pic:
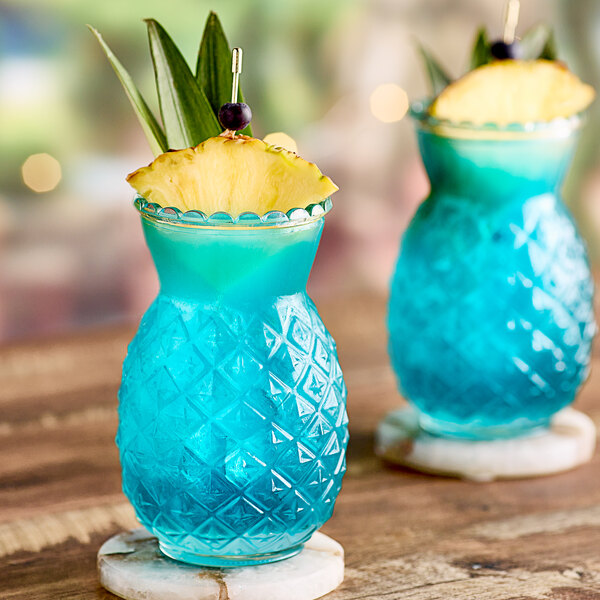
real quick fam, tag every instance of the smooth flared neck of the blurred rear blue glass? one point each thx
(507, 168)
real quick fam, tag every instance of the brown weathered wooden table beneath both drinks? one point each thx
(406, 535)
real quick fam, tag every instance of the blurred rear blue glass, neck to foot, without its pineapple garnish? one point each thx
(490, 315)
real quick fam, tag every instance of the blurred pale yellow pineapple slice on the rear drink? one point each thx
(513, 91)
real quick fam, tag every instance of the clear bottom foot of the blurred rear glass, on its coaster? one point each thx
(518, 428)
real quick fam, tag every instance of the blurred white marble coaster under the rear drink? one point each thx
(568, 443)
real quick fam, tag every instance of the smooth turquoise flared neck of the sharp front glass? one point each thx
(231, 264)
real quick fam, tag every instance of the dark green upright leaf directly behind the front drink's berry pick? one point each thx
(213, 69)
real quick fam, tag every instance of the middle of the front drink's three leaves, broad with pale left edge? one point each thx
(186, 112)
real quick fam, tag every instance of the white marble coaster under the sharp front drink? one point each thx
(132, 567)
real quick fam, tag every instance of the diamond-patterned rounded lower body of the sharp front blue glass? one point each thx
(233, 425)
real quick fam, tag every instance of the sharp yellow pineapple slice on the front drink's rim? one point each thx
(234, 175)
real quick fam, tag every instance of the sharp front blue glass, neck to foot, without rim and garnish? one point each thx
(233, 425)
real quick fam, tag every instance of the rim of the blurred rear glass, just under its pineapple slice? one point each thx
(419, 111)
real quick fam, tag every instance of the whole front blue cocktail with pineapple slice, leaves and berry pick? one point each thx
(232, 406)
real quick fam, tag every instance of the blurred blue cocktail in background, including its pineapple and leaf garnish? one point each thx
(491, 316)
